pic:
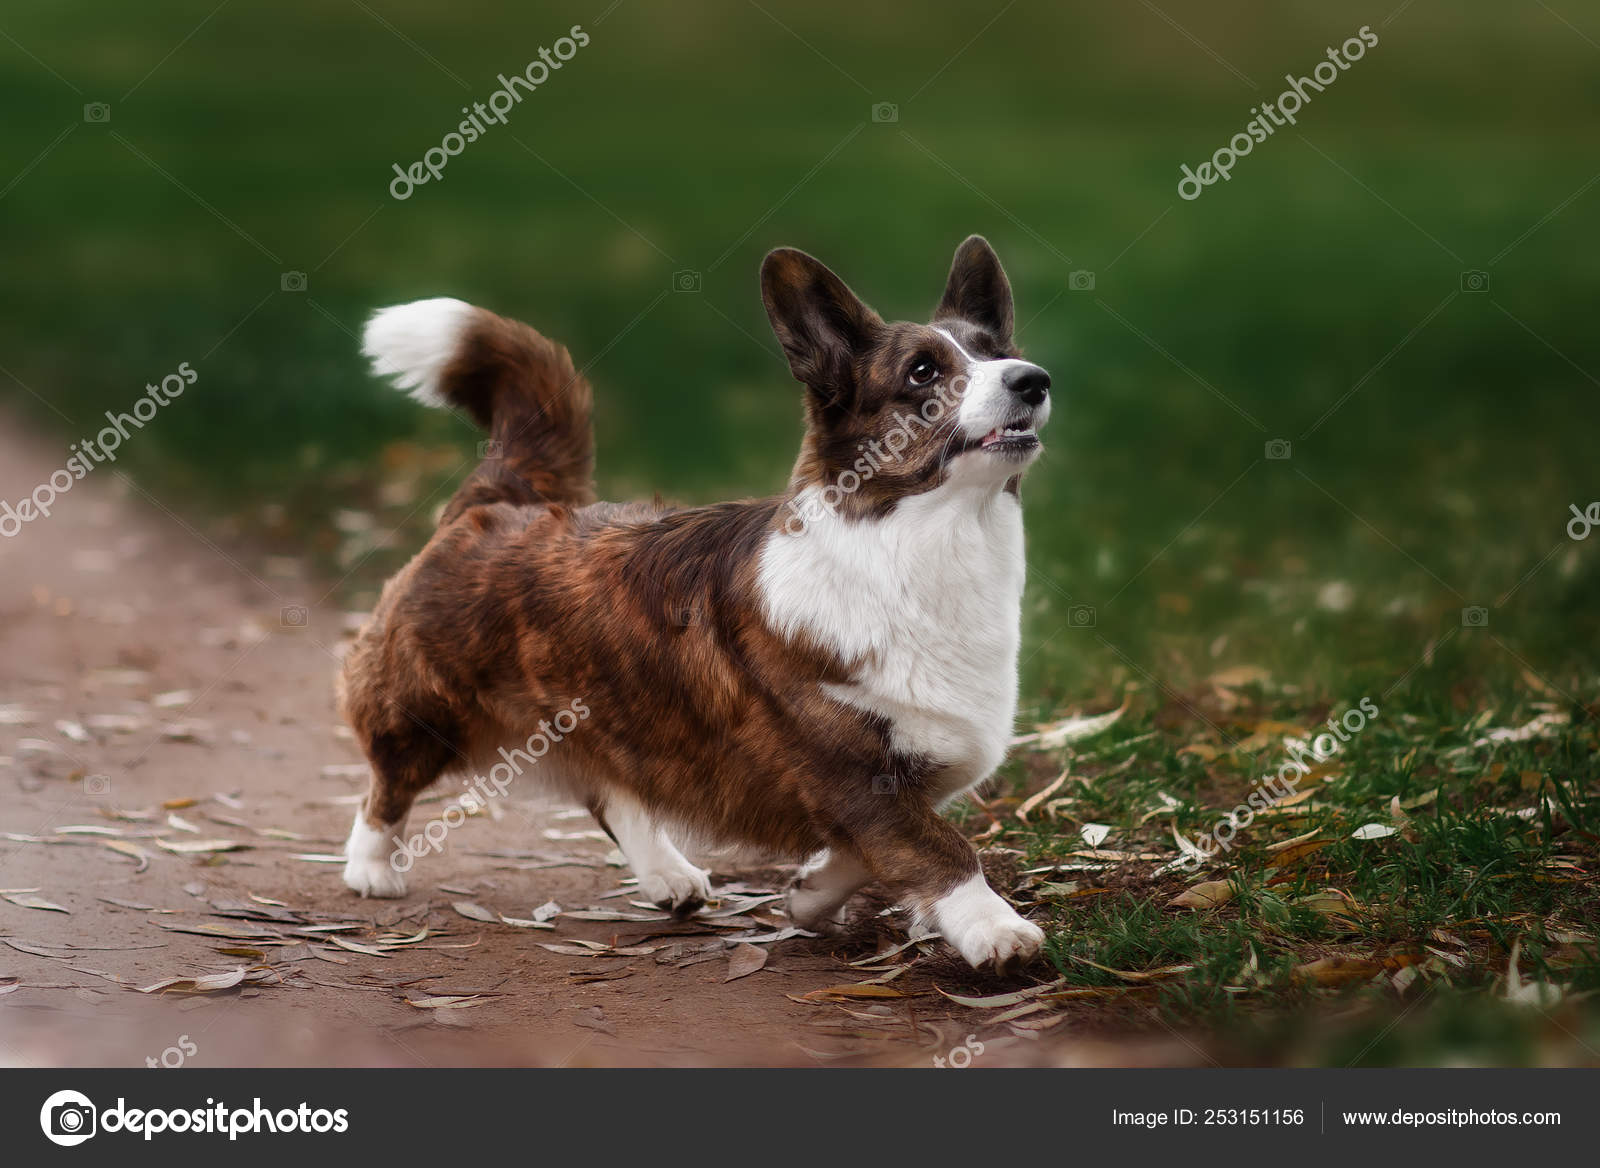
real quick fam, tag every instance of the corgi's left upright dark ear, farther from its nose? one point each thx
(818, 321)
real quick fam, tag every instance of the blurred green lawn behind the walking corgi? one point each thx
(252, 140)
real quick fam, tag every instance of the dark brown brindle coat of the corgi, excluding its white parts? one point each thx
(532, 596)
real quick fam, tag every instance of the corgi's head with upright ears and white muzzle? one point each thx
(900, 409)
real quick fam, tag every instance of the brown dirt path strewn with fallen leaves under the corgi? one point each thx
(143, 666)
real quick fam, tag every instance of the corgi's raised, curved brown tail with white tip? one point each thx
(513, 382)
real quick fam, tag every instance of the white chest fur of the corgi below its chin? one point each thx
(926, 606)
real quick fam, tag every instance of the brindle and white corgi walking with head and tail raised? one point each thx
(812, 676)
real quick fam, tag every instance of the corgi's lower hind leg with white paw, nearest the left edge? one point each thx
(404, 766)
